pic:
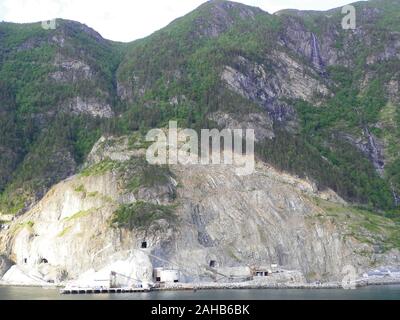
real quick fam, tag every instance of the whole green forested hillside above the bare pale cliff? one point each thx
(345, 137)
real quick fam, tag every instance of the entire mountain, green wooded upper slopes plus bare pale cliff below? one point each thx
(324, 103)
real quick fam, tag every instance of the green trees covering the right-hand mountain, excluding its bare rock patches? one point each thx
(319, 150)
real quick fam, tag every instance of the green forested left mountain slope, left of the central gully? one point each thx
(41, 141)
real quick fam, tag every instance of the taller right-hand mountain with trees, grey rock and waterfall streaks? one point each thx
(324, 90)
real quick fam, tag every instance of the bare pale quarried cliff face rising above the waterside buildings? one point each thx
(265, 218)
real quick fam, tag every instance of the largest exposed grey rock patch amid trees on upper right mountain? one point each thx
(287, 79)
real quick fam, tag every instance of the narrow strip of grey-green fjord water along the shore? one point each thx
(387, 292)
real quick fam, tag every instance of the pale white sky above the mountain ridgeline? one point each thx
(127, 20)
